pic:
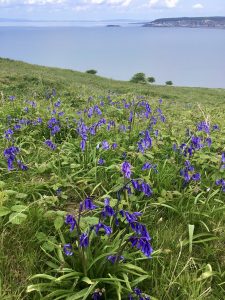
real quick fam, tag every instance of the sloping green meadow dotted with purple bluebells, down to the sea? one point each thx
(109, 189)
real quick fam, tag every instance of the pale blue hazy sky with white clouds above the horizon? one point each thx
(109, 9)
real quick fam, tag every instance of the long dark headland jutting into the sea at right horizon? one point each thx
(195, 22)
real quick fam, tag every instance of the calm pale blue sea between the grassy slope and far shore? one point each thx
(188, 57)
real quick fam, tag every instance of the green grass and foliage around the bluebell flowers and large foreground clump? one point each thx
(186, 224)
